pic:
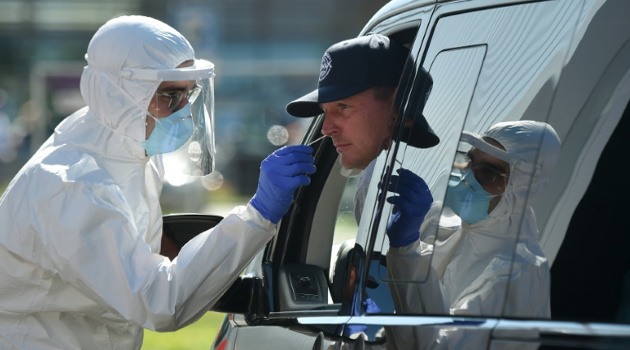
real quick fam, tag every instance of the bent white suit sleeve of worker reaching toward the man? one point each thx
(119, 271)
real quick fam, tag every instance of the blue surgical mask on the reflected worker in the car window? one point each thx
(466, 197)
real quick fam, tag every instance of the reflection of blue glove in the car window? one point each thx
(410, 207)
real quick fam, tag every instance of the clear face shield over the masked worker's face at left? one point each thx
(182, 112)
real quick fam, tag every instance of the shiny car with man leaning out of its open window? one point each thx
(564, 62)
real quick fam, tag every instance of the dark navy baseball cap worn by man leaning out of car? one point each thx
(355, 65)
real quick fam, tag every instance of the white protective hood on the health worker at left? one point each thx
(120, 100)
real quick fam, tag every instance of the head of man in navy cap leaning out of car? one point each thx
(356, 90)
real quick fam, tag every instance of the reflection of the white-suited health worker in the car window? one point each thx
(480, 255)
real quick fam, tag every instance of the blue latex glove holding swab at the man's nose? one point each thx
(281, 173)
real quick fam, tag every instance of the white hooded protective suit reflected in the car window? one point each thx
(492, 268)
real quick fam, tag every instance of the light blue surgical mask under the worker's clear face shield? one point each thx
(171, 132)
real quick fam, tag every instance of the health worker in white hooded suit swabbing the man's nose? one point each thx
(82, 223)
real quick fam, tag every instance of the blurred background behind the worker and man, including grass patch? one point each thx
(266, 53)
